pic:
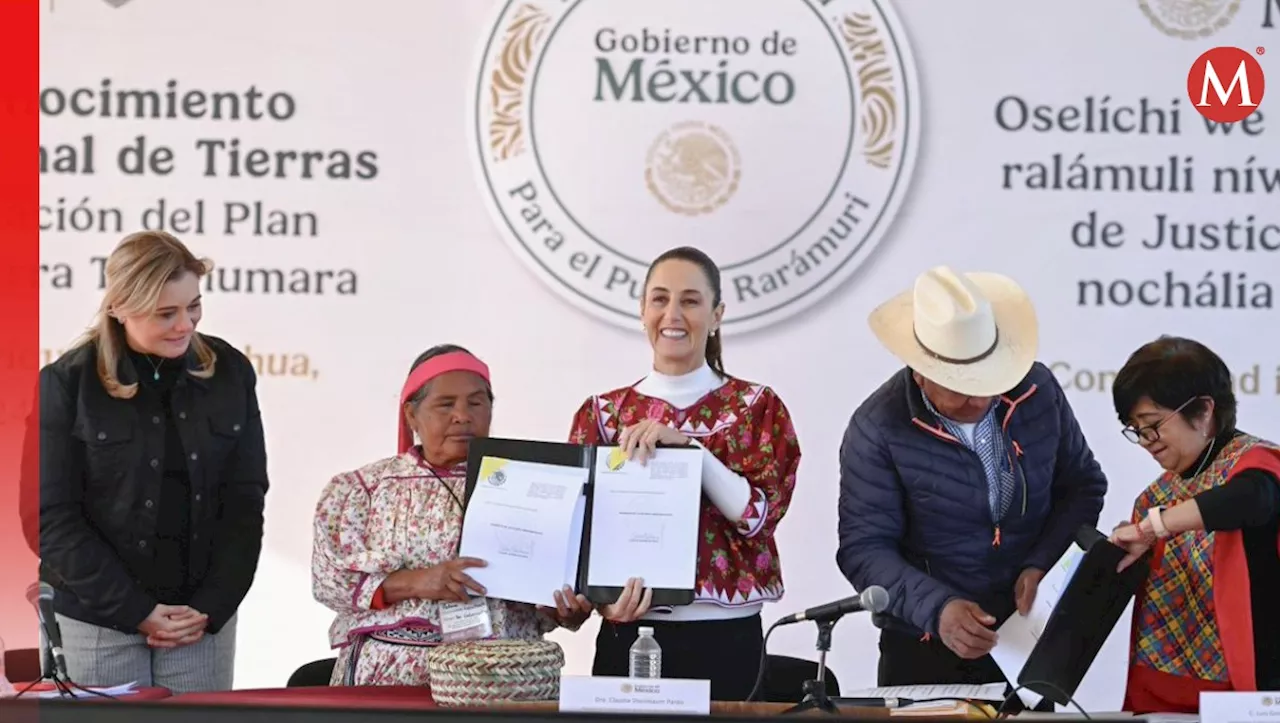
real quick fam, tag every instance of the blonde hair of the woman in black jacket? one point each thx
(136, 273)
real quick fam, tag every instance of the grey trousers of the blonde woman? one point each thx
(104, 657)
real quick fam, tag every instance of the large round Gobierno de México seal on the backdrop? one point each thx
(779, 136)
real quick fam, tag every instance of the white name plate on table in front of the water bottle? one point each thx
(586, 694)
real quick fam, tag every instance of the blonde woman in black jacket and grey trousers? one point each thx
(153, 478)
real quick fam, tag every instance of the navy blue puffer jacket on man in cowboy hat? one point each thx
(915, 516)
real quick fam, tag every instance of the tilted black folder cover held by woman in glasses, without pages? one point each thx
(1085, 616)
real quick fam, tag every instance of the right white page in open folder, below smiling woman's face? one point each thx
(644, 519)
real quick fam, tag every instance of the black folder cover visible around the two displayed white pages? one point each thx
(565, 456)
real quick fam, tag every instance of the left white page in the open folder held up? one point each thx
(519, 520)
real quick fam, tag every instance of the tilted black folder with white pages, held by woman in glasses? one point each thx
(1078, 605)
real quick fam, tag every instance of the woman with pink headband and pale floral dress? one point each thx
(387, 538)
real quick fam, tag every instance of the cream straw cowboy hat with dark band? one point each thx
(975, 333)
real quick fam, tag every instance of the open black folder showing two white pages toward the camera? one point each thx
(548, 515)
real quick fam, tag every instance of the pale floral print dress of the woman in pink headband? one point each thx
(396, 514)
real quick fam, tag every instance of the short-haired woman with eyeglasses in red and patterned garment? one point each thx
(1206, 619)
